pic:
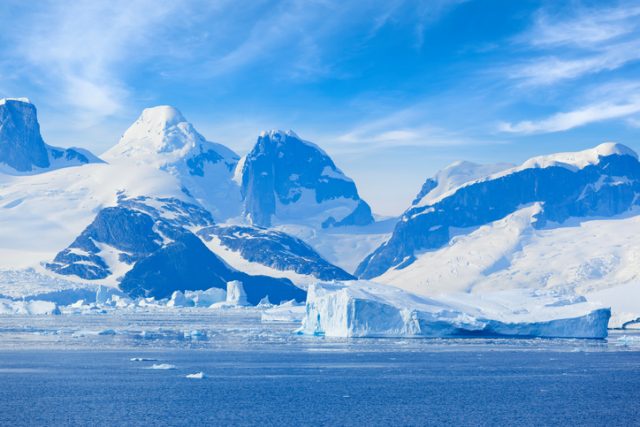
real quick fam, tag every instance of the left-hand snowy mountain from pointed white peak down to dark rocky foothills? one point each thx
(132, 222)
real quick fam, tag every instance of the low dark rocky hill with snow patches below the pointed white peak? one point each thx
(145, 246)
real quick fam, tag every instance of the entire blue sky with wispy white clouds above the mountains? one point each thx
(393, 90)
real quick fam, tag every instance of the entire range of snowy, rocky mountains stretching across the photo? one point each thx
(165, 210)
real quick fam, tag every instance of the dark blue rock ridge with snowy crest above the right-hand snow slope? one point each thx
(604, 181)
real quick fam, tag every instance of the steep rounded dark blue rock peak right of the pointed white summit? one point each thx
(288, 180)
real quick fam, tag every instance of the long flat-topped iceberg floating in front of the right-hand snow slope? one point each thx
(367, 309)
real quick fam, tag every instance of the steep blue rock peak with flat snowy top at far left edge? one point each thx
(22, 149)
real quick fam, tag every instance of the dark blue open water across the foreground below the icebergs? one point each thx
(295, 386)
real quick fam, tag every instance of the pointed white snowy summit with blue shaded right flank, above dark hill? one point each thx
(161, 138)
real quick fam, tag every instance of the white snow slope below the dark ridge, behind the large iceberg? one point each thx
(596, 258)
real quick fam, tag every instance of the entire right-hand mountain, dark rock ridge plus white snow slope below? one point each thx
(565, 222)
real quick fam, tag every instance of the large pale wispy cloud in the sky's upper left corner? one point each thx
(76, 52)
